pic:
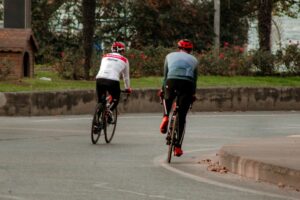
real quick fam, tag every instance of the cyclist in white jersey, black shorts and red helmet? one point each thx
(113, 65)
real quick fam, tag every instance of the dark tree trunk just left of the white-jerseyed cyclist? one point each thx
(88, 13)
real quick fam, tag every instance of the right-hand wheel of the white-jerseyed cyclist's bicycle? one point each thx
(110, 126)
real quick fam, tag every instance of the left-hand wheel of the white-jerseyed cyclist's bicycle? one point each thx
(97, 123)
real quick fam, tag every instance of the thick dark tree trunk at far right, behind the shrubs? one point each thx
(264, 24)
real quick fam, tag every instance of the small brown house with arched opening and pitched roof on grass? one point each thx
(17, 48)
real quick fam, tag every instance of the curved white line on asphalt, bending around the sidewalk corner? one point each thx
(161, 160)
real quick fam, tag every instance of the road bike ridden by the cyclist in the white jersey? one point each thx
(104, 119)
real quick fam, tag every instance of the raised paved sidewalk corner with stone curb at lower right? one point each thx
(275, 160)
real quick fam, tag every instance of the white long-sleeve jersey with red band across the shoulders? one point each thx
(112, 66)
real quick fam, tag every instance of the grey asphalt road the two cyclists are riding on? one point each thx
(52, 158)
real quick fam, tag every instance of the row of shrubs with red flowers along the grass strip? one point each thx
(231, 61)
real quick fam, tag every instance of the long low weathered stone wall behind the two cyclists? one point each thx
(73, 102)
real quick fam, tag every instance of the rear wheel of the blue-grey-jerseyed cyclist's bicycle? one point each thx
(174, 128)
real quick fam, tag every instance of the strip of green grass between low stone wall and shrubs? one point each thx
(57, 83)
